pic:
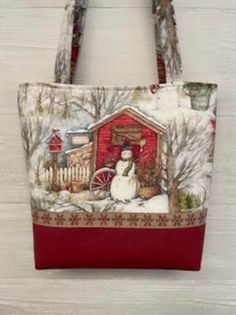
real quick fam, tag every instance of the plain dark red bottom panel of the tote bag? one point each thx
(118, 248)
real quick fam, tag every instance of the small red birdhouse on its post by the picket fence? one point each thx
(55, 146)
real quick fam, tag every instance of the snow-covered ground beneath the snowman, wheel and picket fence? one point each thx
(84, 201)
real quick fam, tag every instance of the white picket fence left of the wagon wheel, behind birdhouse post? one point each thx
(68, 175)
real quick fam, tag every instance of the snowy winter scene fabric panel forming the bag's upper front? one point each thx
(60, 126)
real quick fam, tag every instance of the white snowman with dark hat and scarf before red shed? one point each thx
(124, 185)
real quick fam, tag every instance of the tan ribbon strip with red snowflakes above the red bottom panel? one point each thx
(119, 220)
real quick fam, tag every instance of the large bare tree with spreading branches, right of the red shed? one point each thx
(185, 152)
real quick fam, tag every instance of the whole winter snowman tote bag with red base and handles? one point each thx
(119, 176)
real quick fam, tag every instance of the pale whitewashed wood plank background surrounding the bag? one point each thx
(118, 49)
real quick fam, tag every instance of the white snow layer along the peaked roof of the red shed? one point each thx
(131, 109)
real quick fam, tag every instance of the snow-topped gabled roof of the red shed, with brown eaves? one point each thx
(135, 114)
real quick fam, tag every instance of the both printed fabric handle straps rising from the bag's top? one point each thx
(169, 63)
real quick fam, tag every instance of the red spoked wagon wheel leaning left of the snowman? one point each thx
(101, 182)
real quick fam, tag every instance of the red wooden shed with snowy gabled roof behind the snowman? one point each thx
(126, 126)
